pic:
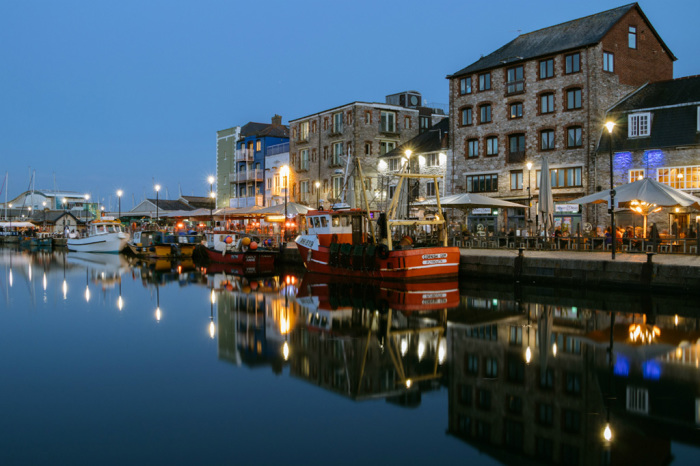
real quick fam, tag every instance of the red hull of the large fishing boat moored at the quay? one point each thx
(404, 264)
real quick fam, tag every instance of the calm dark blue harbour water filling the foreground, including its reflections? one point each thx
(109, 361)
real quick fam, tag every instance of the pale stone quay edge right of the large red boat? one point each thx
(623, 257)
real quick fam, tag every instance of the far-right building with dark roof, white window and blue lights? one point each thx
(655, 136)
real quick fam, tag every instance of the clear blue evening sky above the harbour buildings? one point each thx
(102, 95)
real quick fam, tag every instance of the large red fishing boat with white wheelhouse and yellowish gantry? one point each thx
(361, 243)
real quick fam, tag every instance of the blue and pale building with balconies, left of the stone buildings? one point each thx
(240, 161)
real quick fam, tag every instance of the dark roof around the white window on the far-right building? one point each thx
(674, 106)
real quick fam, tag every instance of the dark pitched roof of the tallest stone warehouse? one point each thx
(571, 35)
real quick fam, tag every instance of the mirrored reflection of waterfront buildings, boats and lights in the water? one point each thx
(527, 373)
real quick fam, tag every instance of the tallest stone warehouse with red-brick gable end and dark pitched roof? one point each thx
(545, 94)
